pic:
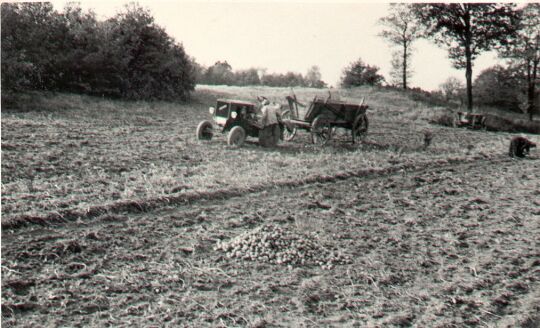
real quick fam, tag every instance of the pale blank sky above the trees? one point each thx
(290, 36)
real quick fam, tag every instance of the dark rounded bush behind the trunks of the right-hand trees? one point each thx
(500, 87)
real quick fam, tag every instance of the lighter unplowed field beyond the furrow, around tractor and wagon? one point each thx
(78, 157)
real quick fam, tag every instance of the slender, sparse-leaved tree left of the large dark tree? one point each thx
(402, 30)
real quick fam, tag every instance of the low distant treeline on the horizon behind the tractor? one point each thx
(221, 73)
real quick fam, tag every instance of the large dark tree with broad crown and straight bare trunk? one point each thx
(467, 29)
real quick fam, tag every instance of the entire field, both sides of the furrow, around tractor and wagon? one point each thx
(112, 211)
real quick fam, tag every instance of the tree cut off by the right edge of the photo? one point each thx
(523, 50)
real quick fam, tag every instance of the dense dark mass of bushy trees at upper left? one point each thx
(127, 56)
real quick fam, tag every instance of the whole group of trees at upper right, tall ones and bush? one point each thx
(467, 30)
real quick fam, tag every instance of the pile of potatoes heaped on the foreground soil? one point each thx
(271, 244)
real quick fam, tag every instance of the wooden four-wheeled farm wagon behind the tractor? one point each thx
(322, 117)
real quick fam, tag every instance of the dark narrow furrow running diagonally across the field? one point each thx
(145, 205)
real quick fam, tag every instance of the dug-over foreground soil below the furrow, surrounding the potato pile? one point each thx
(440, 246)
